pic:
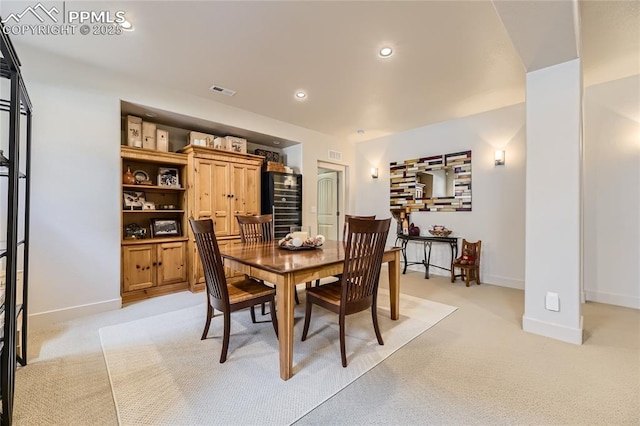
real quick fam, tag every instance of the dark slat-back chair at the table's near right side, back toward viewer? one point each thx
(357, 289)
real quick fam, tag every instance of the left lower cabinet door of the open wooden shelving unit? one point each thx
(138, 270)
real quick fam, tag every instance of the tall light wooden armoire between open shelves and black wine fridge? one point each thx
(220, 185)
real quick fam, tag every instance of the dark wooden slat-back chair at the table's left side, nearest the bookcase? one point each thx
(223, 296)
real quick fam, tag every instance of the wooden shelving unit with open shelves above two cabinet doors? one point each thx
(154, 264)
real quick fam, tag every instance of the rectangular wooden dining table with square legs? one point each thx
(286, 268)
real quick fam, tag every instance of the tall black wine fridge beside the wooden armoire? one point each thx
(282, 197)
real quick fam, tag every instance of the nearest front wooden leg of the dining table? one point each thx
(285, 303)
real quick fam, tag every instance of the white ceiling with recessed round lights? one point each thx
(451, 59)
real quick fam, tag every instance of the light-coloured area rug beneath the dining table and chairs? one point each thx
(161, 373)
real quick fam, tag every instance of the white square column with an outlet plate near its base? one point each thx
(553, 201)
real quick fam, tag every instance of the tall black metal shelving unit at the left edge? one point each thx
(16, 213)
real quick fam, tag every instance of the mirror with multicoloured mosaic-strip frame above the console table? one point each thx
(437, 183)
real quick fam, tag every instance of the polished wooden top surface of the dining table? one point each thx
(268, 256)
